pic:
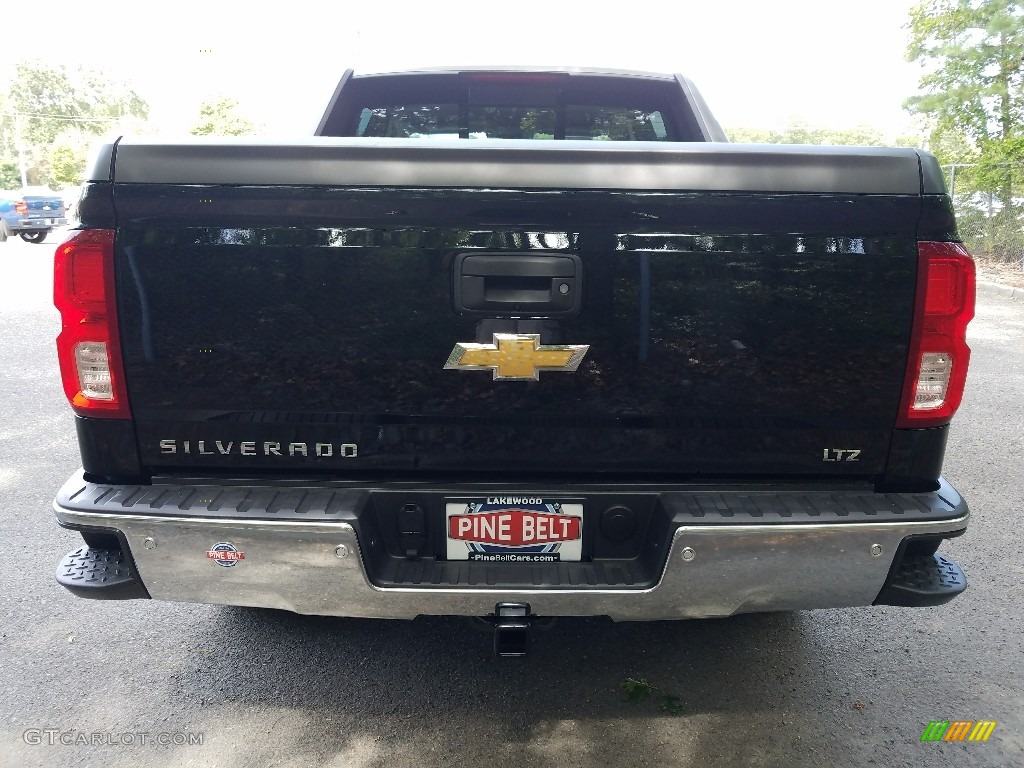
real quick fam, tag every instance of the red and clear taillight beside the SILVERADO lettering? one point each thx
(88, 348)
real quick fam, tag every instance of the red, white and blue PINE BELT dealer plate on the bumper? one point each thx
(515, 529)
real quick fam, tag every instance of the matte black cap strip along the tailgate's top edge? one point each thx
(524, 164)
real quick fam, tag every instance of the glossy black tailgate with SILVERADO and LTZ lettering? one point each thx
(735, 325)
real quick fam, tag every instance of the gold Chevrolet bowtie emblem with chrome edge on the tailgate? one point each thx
(517, 357)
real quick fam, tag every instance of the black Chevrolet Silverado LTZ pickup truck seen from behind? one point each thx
(511, 345)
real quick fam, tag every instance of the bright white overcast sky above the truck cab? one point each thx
(758, 64)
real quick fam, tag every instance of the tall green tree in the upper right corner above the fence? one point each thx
(973, 89)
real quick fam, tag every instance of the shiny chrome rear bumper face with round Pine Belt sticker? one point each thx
(319, 569)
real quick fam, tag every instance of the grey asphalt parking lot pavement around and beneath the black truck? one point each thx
(95, 684)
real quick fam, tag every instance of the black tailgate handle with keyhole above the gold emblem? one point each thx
(504, 284)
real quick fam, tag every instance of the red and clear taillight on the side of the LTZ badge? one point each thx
(940, 355)
